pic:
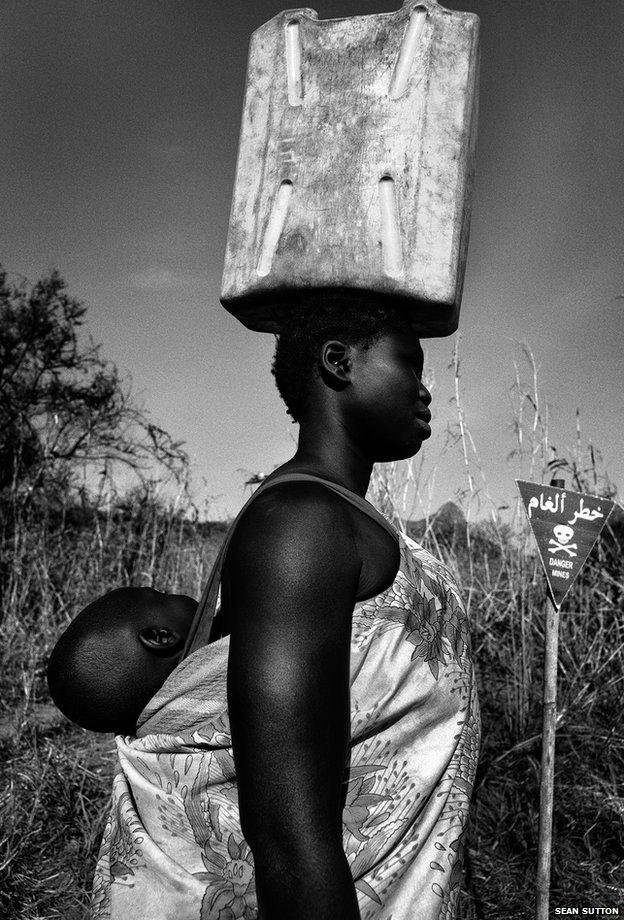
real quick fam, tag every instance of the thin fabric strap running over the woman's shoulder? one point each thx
(202, 622)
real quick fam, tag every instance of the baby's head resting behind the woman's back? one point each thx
(116, 654)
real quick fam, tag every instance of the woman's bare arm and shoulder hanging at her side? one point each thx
(292, 573)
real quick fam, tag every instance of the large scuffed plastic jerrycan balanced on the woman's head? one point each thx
(355, 164)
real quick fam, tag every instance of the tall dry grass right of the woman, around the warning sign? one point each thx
(504, 589)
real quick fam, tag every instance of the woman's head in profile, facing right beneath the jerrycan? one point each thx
(361, 361)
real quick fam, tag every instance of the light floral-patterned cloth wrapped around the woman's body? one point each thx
(173, 847)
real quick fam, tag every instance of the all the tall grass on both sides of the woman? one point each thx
(56, 778)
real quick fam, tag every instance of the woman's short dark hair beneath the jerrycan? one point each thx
(355, 319)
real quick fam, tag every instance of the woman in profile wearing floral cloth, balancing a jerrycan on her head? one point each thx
(315, 758)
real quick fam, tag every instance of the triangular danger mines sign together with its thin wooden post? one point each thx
(565, 526)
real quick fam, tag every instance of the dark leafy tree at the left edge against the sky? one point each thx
(63, 407)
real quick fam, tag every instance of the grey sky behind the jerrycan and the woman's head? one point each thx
(120, 126)
